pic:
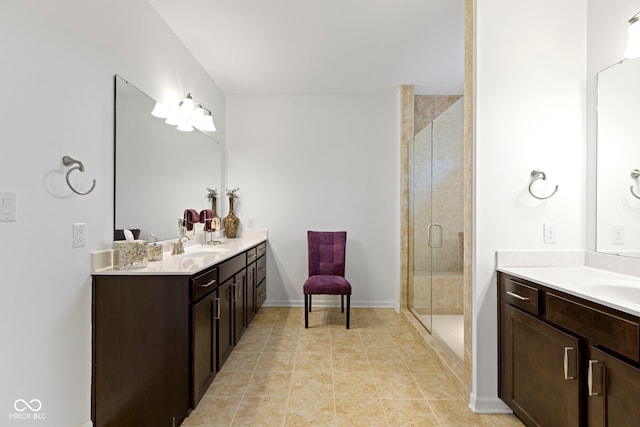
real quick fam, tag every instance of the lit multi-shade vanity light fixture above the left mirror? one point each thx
(186, 116)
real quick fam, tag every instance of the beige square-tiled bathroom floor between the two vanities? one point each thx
(375, 374)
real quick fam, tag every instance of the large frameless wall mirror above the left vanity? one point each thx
(159, 171)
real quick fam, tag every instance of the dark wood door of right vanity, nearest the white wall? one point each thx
(543, 371)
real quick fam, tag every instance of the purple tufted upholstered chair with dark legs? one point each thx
(326, 269)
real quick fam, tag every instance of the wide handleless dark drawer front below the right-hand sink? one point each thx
(606, 329)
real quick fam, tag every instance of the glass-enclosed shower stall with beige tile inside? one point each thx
(436, 220)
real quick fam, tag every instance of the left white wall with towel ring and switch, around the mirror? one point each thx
(58, 63)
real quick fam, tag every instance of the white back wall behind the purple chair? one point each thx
(320, 163)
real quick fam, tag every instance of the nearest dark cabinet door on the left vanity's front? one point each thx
(204, 346)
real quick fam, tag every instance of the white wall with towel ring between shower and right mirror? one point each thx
(530, 112)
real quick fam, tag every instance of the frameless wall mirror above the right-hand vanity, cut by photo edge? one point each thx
(618, 186)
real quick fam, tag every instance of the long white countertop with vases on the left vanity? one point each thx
(197, 257)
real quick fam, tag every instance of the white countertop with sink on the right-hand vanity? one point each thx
(606, 287)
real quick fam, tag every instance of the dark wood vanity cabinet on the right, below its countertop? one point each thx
(565, 361)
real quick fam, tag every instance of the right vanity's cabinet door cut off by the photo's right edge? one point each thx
(613, 391)
